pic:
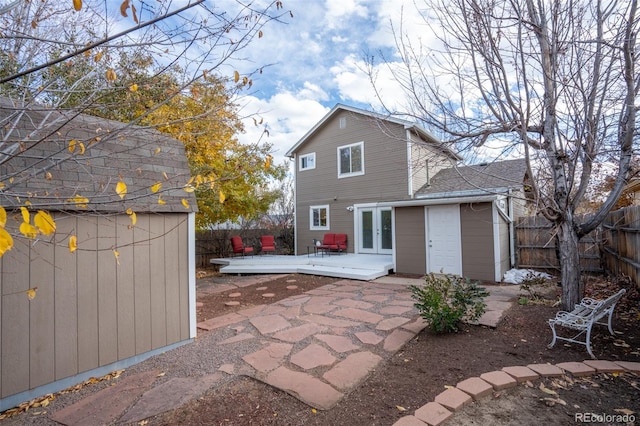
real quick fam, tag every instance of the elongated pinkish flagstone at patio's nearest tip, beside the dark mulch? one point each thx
(305, 387)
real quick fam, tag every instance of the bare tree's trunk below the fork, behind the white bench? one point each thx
(569, 264)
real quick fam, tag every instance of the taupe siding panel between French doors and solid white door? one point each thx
(410, 240)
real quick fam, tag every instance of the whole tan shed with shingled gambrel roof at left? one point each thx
(128, 291)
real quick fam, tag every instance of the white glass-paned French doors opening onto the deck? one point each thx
(376, 230)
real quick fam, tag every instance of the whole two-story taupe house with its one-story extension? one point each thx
(394, 189)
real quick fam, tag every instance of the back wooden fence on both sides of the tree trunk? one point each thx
(536, 246)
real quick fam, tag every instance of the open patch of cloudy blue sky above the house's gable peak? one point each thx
(316, 59)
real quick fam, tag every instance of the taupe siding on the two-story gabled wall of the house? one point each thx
(385, 178)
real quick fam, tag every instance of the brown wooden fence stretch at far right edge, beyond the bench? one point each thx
(621, 242)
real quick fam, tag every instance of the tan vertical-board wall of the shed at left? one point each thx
(89, 310)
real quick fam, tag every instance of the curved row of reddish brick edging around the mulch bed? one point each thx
(454, 398)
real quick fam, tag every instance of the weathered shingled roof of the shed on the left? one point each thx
(36, 163)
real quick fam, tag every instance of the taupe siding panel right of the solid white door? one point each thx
(476, 226)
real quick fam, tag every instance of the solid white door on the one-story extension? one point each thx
(444, 247)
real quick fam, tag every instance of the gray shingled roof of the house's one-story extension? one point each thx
(480, 177)
